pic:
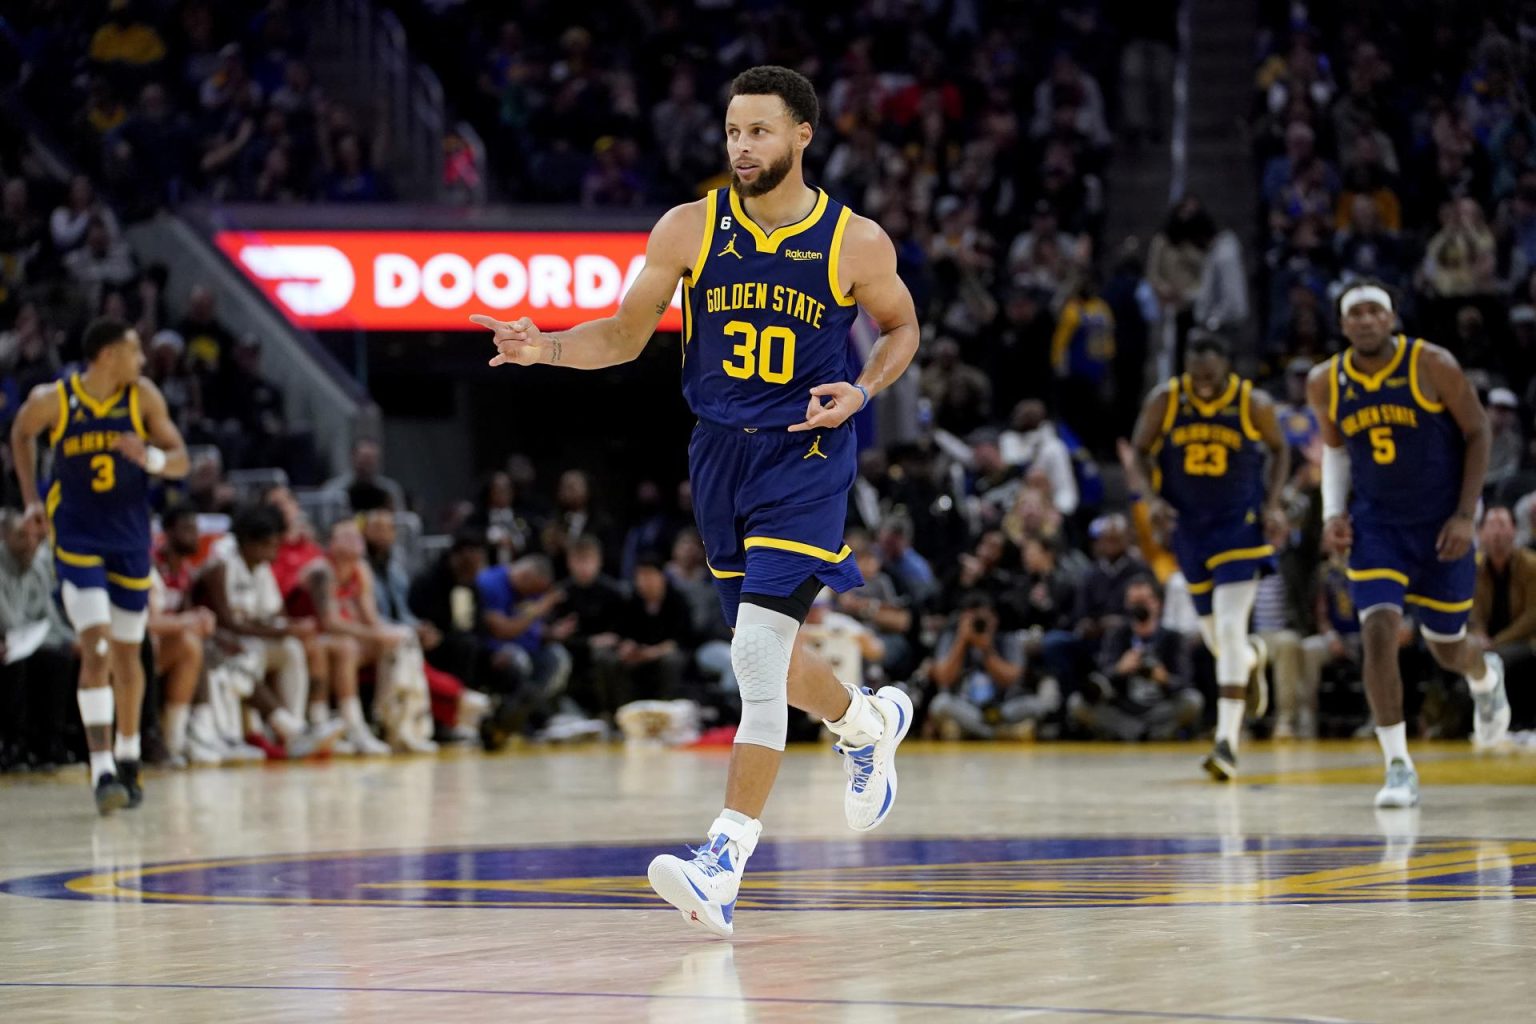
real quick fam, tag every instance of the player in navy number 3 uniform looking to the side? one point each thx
(110, 432)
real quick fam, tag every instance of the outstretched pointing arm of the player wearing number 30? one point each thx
(620, 339)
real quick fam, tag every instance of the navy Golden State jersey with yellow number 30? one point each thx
(764, 320)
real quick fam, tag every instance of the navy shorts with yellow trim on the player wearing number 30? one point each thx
(770, 507)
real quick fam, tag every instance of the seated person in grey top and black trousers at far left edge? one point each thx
(36, 692)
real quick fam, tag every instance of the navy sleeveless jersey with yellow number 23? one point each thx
(1211, 457)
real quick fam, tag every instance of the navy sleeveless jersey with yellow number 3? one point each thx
(99, 501)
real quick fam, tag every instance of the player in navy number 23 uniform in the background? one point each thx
(1211, 449)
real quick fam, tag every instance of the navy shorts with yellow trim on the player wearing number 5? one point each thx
(1397, 566)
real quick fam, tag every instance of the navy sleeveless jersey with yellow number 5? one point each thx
(1406, 452)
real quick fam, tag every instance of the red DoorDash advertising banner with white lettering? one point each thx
(435, 280)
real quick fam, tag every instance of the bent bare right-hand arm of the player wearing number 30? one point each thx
(870, 262)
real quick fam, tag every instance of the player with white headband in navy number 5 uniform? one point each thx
(1403, 467)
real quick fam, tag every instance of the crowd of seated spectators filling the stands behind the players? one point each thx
(1010, 583)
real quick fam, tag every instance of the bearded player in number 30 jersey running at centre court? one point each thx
(773, 274)
